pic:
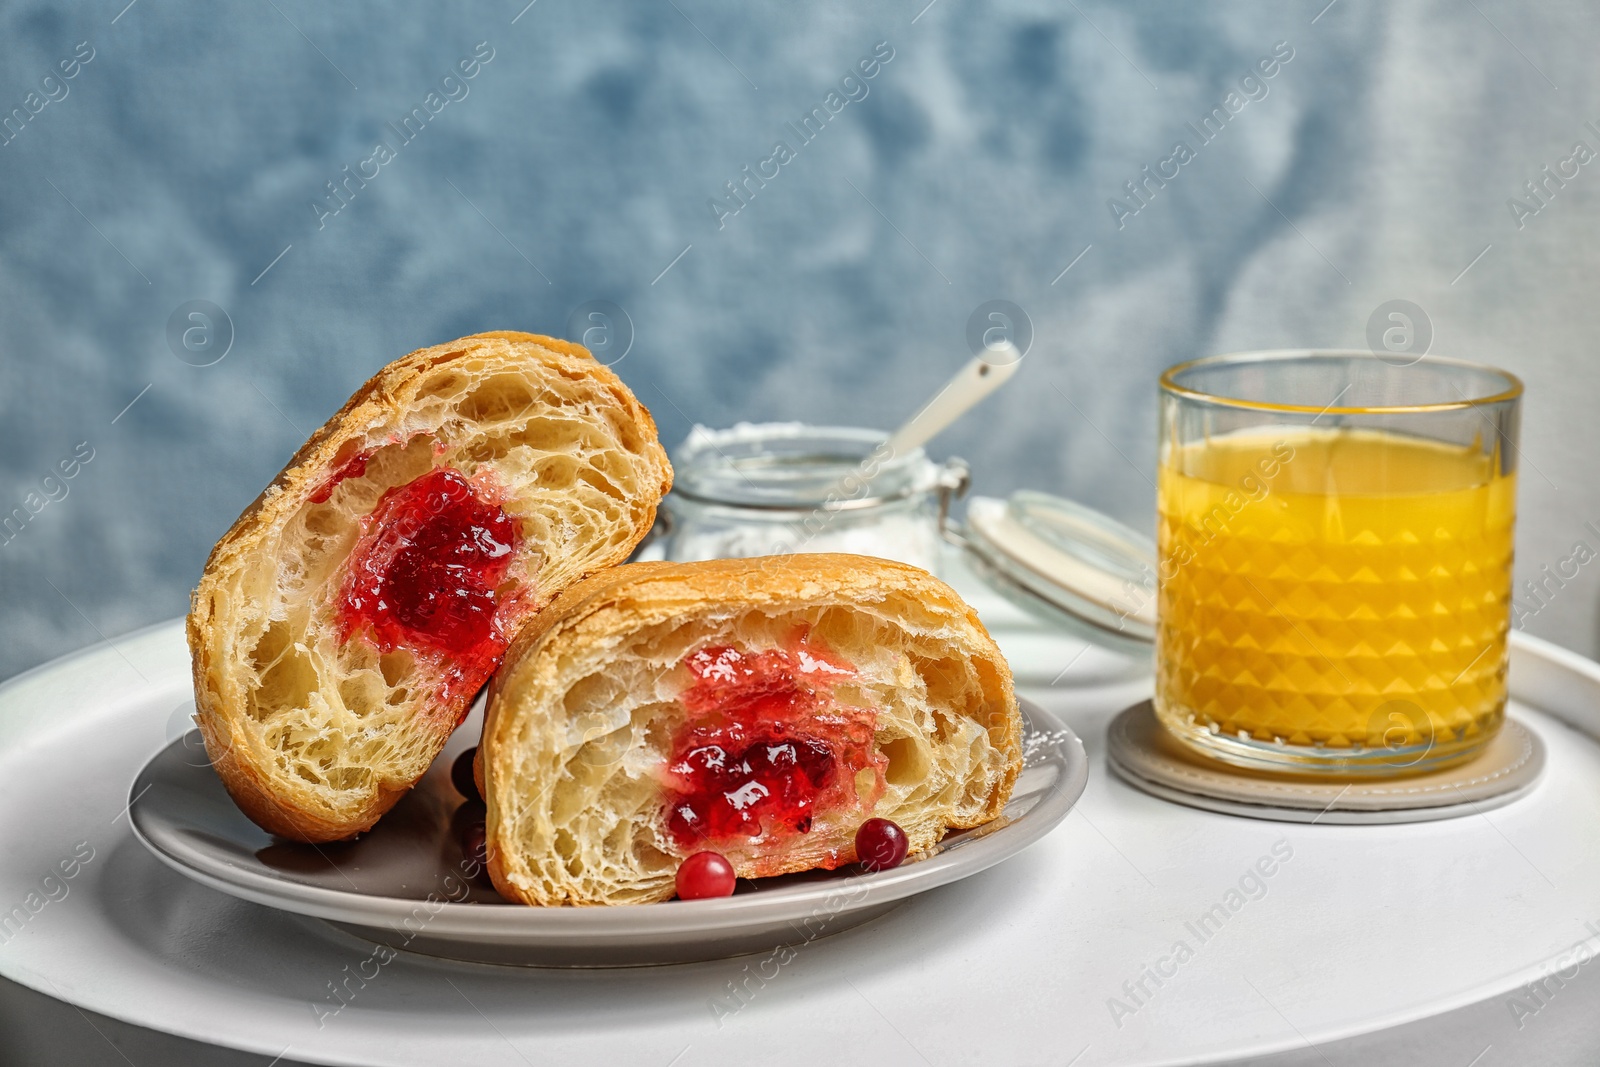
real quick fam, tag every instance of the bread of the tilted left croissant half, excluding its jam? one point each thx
(316, 738)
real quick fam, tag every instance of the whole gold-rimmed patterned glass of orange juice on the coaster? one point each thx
(1335, 538)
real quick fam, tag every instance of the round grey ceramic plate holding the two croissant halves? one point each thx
(401, 882)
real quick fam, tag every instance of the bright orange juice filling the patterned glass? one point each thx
(1334, 588)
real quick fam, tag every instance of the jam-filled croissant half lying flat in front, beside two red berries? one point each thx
(761, 709)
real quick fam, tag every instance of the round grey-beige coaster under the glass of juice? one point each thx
(1143, 754)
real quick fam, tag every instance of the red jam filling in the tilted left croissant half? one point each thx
(426, 577)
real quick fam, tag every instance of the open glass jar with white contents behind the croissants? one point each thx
(788, 487)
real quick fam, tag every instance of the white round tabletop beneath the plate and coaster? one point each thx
(1362, 929)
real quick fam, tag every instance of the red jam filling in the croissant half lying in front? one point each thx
(767, 749)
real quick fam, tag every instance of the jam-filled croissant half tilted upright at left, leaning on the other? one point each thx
(346, 621)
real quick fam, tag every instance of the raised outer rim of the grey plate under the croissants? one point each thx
(588, 924)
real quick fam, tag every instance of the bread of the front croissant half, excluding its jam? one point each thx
(585, 706)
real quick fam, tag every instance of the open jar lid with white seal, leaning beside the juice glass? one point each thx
(1065, 562)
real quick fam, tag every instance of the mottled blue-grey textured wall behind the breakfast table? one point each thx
(585, 158)
